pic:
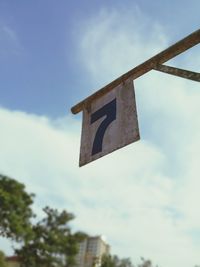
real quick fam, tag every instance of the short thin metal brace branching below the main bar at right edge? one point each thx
(194, 76)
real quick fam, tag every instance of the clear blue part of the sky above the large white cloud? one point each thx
(40, 70)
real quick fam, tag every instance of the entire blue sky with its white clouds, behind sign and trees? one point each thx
(145, 197)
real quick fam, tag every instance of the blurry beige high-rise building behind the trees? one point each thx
(91, 251)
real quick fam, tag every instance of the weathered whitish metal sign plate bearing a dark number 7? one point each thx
(109, 123)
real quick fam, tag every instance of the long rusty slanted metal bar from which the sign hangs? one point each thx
(167, 54)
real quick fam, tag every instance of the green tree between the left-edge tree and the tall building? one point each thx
(52, 244)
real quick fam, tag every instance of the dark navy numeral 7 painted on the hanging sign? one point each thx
(109, 110)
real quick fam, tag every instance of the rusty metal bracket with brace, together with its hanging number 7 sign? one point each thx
(105, 111)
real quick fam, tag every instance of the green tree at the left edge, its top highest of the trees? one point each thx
(15, 211)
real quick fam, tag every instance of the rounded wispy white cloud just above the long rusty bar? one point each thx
(115, 41)
